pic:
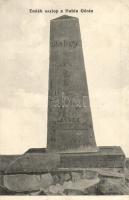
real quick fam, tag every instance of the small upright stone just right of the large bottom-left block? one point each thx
(45, 181)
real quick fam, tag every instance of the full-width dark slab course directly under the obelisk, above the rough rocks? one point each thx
(37, 162)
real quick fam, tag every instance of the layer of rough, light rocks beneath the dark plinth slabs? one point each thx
(83, 182)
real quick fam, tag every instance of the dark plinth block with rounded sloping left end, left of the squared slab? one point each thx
(34, 163)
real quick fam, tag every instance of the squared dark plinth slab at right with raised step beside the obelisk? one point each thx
(107, 157)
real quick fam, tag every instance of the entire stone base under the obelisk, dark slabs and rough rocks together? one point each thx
(102, 172)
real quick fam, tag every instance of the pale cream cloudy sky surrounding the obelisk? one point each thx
(24, 65)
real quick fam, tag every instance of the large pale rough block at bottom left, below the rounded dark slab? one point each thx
(22, 182)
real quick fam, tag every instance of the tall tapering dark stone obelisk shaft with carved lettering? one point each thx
(70, 127)
